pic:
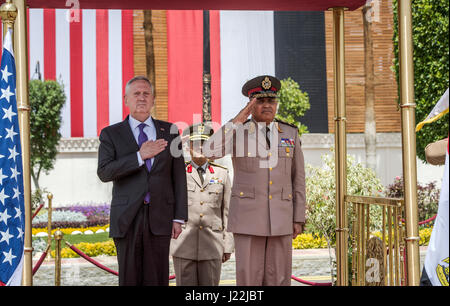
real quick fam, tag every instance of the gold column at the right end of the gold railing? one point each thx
(409, 140)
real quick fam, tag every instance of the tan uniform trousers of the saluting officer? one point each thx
(263, 261)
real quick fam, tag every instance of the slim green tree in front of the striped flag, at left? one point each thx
(46, 100)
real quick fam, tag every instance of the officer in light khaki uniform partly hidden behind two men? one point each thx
(203, 245)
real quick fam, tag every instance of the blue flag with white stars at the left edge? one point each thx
(12, 211)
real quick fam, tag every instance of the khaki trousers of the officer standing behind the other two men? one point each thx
(197, 272)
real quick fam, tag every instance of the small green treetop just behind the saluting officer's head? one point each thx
(293, 103)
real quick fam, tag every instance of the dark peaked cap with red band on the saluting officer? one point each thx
(261, 87)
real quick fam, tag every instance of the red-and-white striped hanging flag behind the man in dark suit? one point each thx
(92, 55)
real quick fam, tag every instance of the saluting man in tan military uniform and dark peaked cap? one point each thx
(267, 206)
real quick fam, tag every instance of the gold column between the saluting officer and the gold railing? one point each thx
(340, 140)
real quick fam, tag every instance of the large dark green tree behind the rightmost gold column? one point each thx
(431, 65)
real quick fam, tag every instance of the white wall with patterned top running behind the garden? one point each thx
(74, 178)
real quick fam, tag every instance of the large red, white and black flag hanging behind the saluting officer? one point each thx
(244, 44)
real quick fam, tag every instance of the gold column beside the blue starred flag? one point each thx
(21, 57)
